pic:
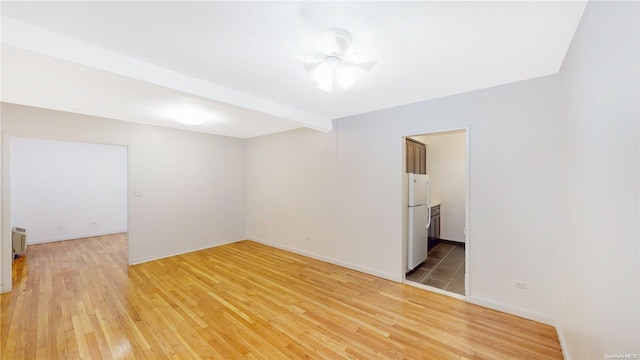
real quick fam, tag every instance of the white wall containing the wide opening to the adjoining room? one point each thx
(192, 184)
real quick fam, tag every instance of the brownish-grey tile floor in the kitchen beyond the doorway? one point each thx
(443, 269)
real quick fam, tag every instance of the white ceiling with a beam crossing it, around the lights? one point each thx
(241, 62)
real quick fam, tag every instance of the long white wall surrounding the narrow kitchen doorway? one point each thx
(350, 204)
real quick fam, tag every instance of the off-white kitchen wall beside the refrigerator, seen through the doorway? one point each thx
(446, 166)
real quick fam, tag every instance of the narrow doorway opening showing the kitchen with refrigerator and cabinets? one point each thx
(437, 255)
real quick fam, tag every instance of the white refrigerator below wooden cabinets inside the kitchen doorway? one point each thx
(419, 219)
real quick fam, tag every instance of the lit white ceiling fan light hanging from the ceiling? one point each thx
(336, 62)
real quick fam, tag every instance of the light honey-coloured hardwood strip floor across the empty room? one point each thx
(78, 300)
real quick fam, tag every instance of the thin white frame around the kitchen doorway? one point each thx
(467, 232)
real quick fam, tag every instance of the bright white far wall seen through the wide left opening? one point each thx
(64, 190)
